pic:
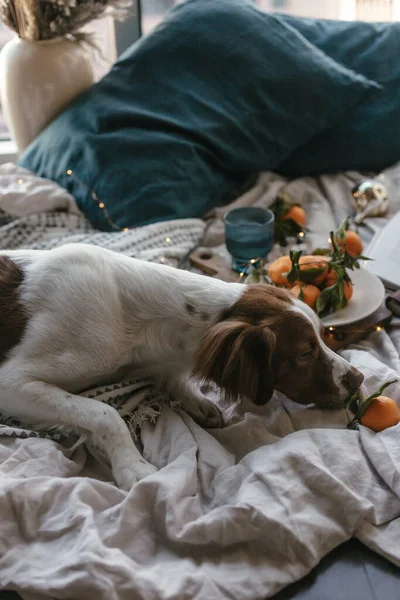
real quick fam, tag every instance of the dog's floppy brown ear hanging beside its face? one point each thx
(237, 357)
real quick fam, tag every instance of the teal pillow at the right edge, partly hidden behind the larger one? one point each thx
(366, 138)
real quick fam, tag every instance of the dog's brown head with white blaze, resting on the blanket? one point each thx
(268, 340)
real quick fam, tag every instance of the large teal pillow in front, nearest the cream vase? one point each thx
(218, 91)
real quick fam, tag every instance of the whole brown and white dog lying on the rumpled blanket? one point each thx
(81, 316)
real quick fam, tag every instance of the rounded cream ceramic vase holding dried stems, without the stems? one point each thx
(38, 79)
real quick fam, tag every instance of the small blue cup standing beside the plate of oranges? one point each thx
(249, 235)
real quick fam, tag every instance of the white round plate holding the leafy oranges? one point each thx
(368, 295)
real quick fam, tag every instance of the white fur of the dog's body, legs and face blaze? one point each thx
(94, 315)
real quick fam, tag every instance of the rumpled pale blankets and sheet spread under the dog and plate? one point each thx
(240, 512)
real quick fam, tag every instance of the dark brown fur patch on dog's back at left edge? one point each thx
(12, 316)
